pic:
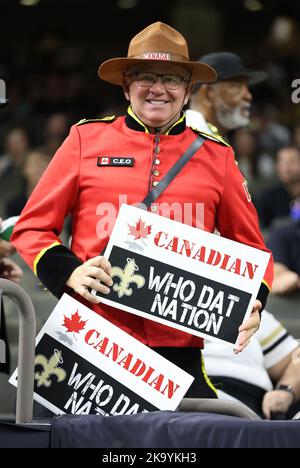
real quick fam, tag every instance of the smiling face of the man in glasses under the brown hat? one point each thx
(156, 105)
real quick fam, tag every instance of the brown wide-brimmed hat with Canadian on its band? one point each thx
(156, 43)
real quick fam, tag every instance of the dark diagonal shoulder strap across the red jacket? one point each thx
(163, 184)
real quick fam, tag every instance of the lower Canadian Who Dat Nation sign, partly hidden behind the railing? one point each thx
(86, 365)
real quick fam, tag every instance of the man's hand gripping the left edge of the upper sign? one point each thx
(88, 275)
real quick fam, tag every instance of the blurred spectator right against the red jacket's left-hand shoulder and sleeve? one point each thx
(34, 166)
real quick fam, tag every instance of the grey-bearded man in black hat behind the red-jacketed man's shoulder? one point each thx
(225, 105)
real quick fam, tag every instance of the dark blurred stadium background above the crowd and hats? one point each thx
(50, 52)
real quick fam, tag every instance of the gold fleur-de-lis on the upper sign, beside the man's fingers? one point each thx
(127, 276)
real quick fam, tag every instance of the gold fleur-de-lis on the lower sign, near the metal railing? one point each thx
(50, 368)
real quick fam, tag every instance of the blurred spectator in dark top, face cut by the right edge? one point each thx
(275, 202)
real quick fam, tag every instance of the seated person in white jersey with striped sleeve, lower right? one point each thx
(255, 377)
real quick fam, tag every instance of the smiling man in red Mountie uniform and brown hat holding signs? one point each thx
(103, 159)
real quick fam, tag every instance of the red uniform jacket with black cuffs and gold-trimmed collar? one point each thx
(74, 183)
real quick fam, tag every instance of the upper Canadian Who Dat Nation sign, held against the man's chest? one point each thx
(181, 276)
